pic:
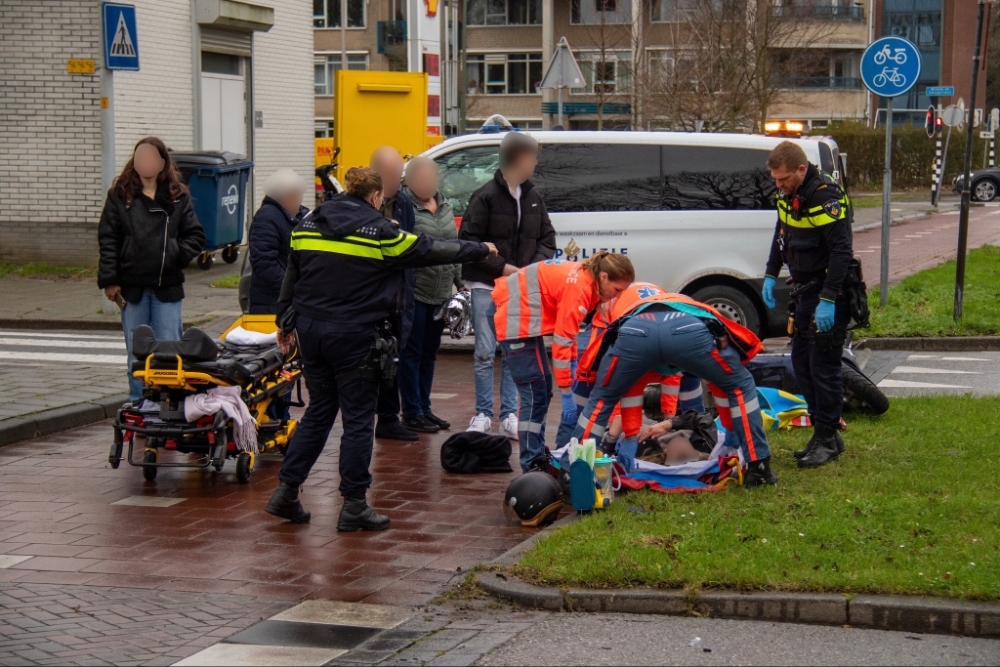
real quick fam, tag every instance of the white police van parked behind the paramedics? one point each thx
(694, 212)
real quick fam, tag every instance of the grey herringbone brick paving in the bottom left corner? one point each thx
(45, 624)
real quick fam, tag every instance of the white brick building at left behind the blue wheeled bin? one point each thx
(213, 75)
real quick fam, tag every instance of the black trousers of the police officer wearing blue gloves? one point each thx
(817, 367)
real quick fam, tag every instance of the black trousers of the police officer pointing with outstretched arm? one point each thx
(326, 355)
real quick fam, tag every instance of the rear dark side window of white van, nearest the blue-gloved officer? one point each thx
(716, 178)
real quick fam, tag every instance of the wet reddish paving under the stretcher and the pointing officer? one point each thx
(56, 496)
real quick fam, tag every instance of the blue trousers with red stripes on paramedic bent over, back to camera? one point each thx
(664, 337)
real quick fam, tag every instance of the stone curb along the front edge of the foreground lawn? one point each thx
(881, 612)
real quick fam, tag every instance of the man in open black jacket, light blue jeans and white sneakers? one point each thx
(509, 213)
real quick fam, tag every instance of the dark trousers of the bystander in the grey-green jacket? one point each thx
(416, 362)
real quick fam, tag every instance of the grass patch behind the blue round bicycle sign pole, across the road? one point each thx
(922, 304)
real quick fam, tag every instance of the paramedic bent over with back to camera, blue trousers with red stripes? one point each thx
(669, 333)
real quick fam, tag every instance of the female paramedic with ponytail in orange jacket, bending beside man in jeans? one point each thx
(550, 298)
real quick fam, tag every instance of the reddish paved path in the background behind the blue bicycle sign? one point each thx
(922, 243)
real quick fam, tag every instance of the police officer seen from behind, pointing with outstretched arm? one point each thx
(337, 293)
